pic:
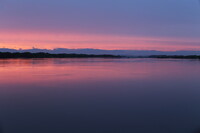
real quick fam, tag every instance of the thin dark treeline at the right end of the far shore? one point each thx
(176, 56)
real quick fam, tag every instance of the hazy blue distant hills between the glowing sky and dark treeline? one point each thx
(102, 52)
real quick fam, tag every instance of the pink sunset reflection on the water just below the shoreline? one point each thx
(54, 71)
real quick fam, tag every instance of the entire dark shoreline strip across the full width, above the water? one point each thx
(9, 55)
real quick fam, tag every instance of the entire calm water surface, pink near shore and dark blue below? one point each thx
(99, 96)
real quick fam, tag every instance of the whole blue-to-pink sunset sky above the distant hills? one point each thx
(166, 25)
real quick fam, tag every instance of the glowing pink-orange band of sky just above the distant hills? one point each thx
(74, 41)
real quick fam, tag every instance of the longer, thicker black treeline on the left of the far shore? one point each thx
(48, 55)
